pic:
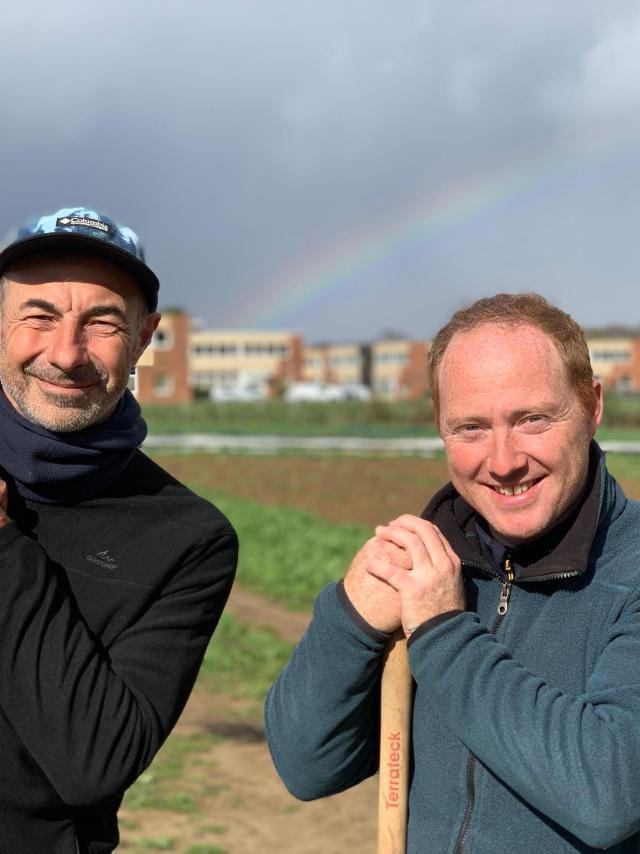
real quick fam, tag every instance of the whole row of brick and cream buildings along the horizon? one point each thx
(250, 365)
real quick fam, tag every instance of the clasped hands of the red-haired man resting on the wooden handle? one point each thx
(404, 576)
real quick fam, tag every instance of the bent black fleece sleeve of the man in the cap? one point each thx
(93, 719)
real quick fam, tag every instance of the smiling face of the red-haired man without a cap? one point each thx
(516, 437)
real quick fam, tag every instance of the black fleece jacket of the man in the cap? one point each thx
(106, 609)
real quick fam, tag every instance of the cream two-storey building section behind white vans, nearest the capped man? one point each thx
(224, 363)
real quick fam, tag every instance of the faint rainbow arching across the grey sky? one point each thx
(334, 267)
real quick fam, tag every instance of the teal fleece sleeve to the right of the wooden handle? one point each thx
(574, 758)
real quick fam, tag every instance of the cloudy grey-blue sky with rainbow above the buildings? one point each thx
(343, 169)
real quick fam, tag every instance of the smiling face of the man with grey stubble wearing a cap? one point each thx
(71, 329)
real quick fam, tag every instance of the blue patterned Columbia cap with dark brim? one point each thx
(86, 231)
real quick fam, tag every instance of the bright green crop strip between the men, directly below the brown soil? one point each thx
(288, 554)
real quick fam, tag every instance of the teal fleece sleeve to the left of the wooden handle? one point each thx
(322, 714)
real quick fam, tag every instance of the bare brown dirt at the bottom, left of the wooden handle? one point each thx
(252, 813)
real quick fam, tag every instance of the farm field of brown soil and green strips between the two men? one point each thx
(212, 789)
